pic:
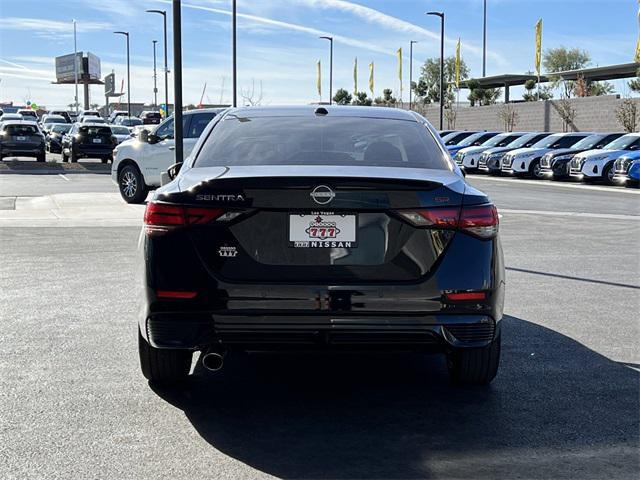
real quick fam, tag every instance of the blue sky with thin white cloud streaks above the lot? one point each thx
(279, 46)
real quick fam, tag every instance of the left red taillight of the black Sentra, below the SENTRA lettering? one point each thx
(162, 217)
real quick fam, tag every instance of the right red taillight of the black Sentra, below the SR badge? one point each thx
(481, 221)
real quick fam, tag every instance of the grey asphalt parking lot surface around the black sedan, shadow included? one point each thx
(73, 402)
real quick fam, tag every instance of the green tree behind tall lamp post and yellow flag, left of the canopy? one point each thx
(427, 88)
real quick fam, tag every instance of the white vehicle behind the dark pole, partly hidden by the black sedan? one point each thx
(138, 163)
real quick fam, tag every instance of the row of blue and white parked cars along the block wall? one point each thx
(581, 156)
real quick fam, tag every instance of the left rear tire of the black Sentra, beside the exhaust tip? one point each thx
(163, 366)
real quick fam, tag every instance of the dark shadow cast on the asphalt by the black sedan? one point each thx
(557, 409)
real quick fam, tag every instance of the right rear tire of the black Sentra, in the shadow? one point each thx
(474, 366)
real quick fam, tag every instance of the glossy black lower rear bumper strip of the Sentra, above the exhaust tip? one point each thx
(198, 330)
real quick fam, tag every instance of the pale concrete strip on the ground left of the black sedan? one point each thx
(70, 210)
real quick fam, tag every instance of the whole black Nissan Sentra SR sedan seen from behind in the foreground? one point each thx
(320, 228)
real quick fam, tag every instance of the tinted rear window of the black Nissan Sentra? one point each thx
(315, 140)
